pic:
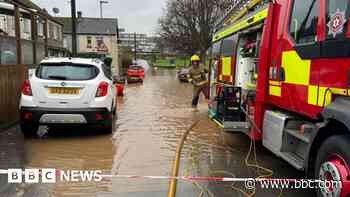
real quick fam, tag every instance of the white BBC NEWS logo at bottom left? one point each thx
(52, 176)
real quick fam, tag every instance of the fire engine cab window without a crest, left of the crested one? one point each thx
(303, 24)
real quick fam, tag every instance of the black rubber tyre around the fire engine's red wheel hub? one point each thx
(338, 145)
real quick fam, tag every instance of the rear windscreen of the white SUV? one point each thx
(73, 72)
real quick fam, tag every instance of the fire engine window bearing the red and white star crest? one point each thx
(337, 15)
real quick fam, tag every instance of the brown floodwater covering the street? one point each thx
(151, 119)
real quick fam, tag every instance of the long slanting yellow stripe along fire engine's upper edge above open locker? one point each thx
(241, 25)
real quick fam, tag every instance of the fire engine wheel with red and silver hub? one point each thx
(332, 167)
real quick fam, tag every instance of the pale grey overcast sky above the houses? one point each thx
(134, 15)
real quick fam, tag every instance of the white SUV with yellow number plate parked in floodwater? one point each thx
(68, 91)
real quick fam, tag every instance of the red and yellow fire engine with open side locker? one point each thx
(280, 72)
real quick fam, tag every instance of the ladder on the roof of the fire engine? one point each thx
(242, 8)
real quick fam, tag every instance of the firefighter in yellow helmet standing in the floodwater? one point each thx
(197, 76)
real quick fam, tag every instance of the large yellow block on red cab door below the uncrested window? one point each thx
(297, 70)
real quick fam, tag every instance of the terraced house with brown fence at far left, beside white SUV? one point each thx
(28, 34)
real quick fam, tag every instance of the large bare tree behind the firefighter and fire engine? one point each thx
(188, 25)
